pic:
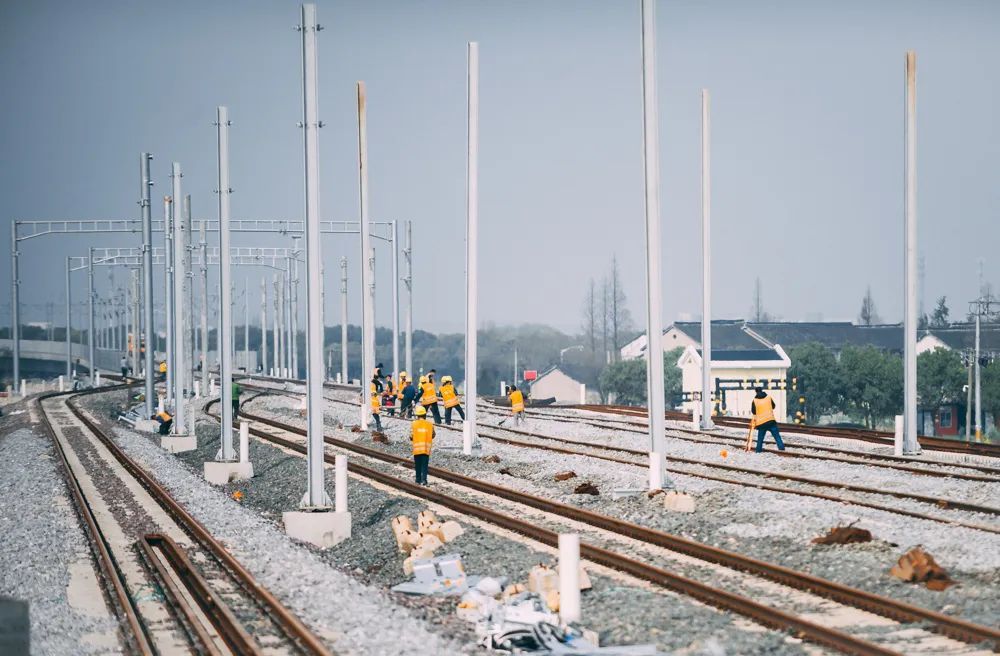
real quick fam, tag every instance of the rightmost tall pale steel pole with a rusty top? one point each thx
(910, 444)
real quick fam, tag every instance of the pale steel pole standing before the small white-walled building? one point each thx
(706, 264)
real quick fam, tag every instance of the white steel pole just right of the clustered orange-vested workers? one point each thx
(469, 434)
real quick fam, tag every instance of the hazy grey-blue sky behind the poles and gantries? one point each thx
(807, 141)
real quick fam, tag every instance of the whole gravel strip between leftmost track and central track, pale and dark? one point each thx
(381, 622)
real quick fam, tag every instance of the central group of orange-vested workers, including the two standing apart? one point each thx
(417, 401)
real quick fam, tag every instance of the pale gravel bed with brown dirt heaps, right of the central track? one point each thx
(768, 525)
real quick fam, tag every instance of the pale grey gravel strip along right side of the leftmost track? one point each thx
(353, 617)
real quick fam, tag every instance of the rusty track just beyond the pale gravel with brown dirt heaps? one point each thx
(936, 502)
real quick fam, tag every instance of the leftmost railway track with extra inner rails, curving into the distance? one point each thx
(214, 607)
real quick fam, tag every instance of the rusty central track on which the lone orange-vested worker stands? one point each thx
(895, 610)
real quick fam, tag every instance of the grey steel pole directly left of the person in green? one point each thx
(225, 337)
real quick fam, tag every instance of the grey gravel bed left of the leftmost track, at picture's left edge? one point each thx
(44, 552)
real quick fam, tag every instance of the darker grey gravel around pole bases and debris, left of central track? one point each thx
(371, 559)
